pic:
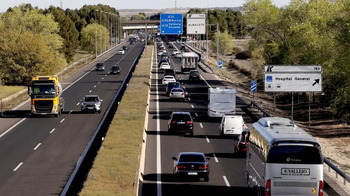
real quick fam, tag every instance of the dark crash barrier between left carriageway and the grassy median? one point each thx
(79, 174)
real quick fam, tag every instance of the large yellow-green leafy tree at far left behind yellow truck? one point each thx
(29, 45)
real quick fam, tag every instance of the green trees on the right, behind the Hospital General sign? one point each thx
(314, 32)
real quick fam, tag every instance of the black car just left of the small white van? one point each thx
(181, 122)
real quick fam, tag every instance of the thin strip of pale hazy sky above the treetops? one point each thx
(132, 4)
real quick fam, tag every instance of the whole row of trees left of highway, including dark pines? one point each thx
(40, 42)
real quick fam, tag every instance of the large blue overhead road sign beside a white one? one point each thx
(171, 24)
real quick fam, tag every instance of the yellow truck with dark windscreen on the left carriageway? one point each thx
(46, 96)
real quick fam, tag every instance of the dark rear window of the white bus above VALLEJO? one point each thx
(294, 155)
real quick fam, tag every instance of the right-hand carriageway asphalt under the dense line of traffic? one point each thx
(227, 175)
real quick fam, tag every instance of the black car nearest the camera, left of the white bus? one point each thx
(188, 164)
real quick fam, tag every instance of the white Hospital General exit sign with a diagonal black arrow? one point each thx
(284, 78)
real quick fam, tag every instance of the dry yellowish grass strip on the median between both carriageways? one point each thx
(115, 168)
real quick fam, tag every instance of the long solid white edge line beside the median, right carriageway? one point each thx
(159, 163)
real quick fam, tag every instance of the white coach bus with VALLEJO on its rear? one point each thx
(283, 159)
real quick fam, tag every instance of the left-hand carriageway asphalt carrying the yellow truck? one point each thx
(38, 154)
